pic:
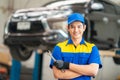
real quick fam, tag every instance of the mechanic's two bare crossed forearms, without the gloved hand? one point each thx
(76, 71)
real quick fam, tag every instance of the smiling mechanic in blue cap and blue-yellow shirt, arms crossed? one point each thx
(76, 58)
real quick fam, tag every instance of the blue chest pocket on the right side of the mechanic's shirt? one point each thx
(83, 58)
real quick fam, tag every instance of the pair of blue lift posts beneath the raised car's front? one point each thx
(37, 71)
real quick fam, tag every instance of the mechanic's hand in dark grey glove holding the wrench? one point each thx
(61, 64)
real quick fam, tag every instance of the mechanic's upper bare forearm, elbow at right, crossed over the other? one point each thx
(90, 70)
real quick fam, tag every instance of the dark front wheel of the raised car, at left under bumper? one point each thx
(20, 53)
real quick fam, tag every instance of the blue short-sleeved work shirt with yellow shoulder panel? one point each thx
(84, 53)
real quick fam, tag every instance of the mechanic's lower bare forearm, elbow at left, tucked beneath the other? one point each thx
(67, 74)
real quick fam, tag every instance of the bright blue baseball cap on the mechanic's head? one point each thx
(75, 17)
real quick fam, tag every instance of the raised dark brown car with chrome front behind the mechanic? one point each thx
(30, 29)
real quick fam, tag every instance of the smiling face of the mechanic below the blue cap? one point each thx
(76, 29)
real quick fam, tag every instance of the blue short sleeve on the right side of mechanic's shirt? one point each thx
(95, 57)
